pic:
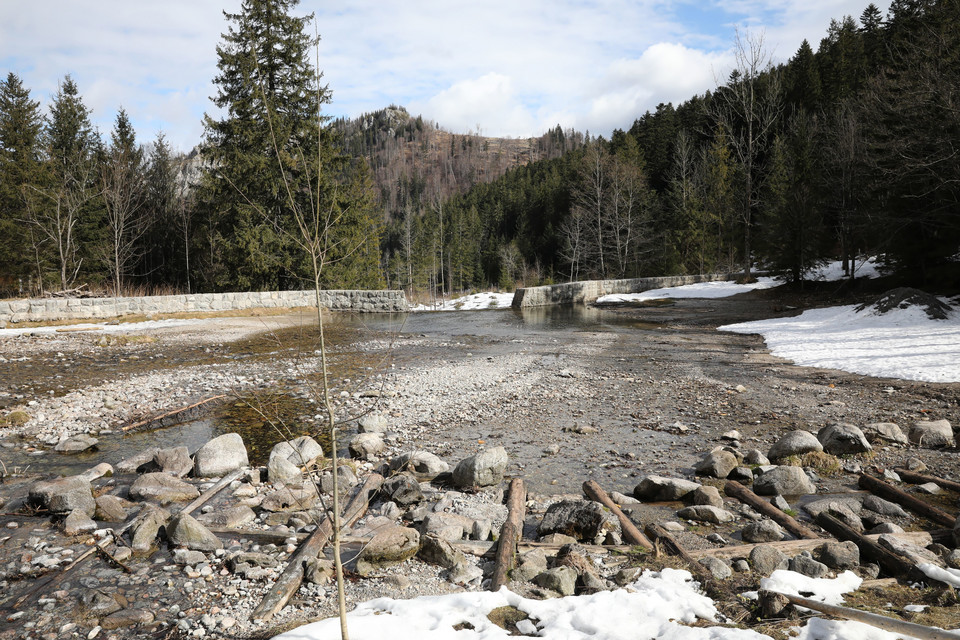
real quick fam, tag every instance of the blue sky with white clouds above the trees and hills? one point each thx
(511, 68)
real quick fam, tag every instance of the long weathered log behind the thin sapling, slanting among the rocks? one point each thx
(289, 581)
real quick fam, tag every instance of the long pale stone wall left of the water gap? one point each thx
(47, 309)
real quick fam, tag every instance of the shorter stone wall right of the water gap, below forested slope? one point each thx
(589, 290)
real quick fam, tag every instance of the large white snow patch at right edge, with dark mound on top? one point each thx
(902, 343)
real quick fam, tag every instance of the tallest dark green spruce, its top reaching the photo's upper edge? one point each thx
(268, 133)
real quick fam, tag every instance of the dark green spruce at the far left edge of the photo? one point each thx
(21, 125)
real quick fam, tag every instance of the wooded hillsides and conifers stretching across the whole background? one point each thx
(849, 148)
